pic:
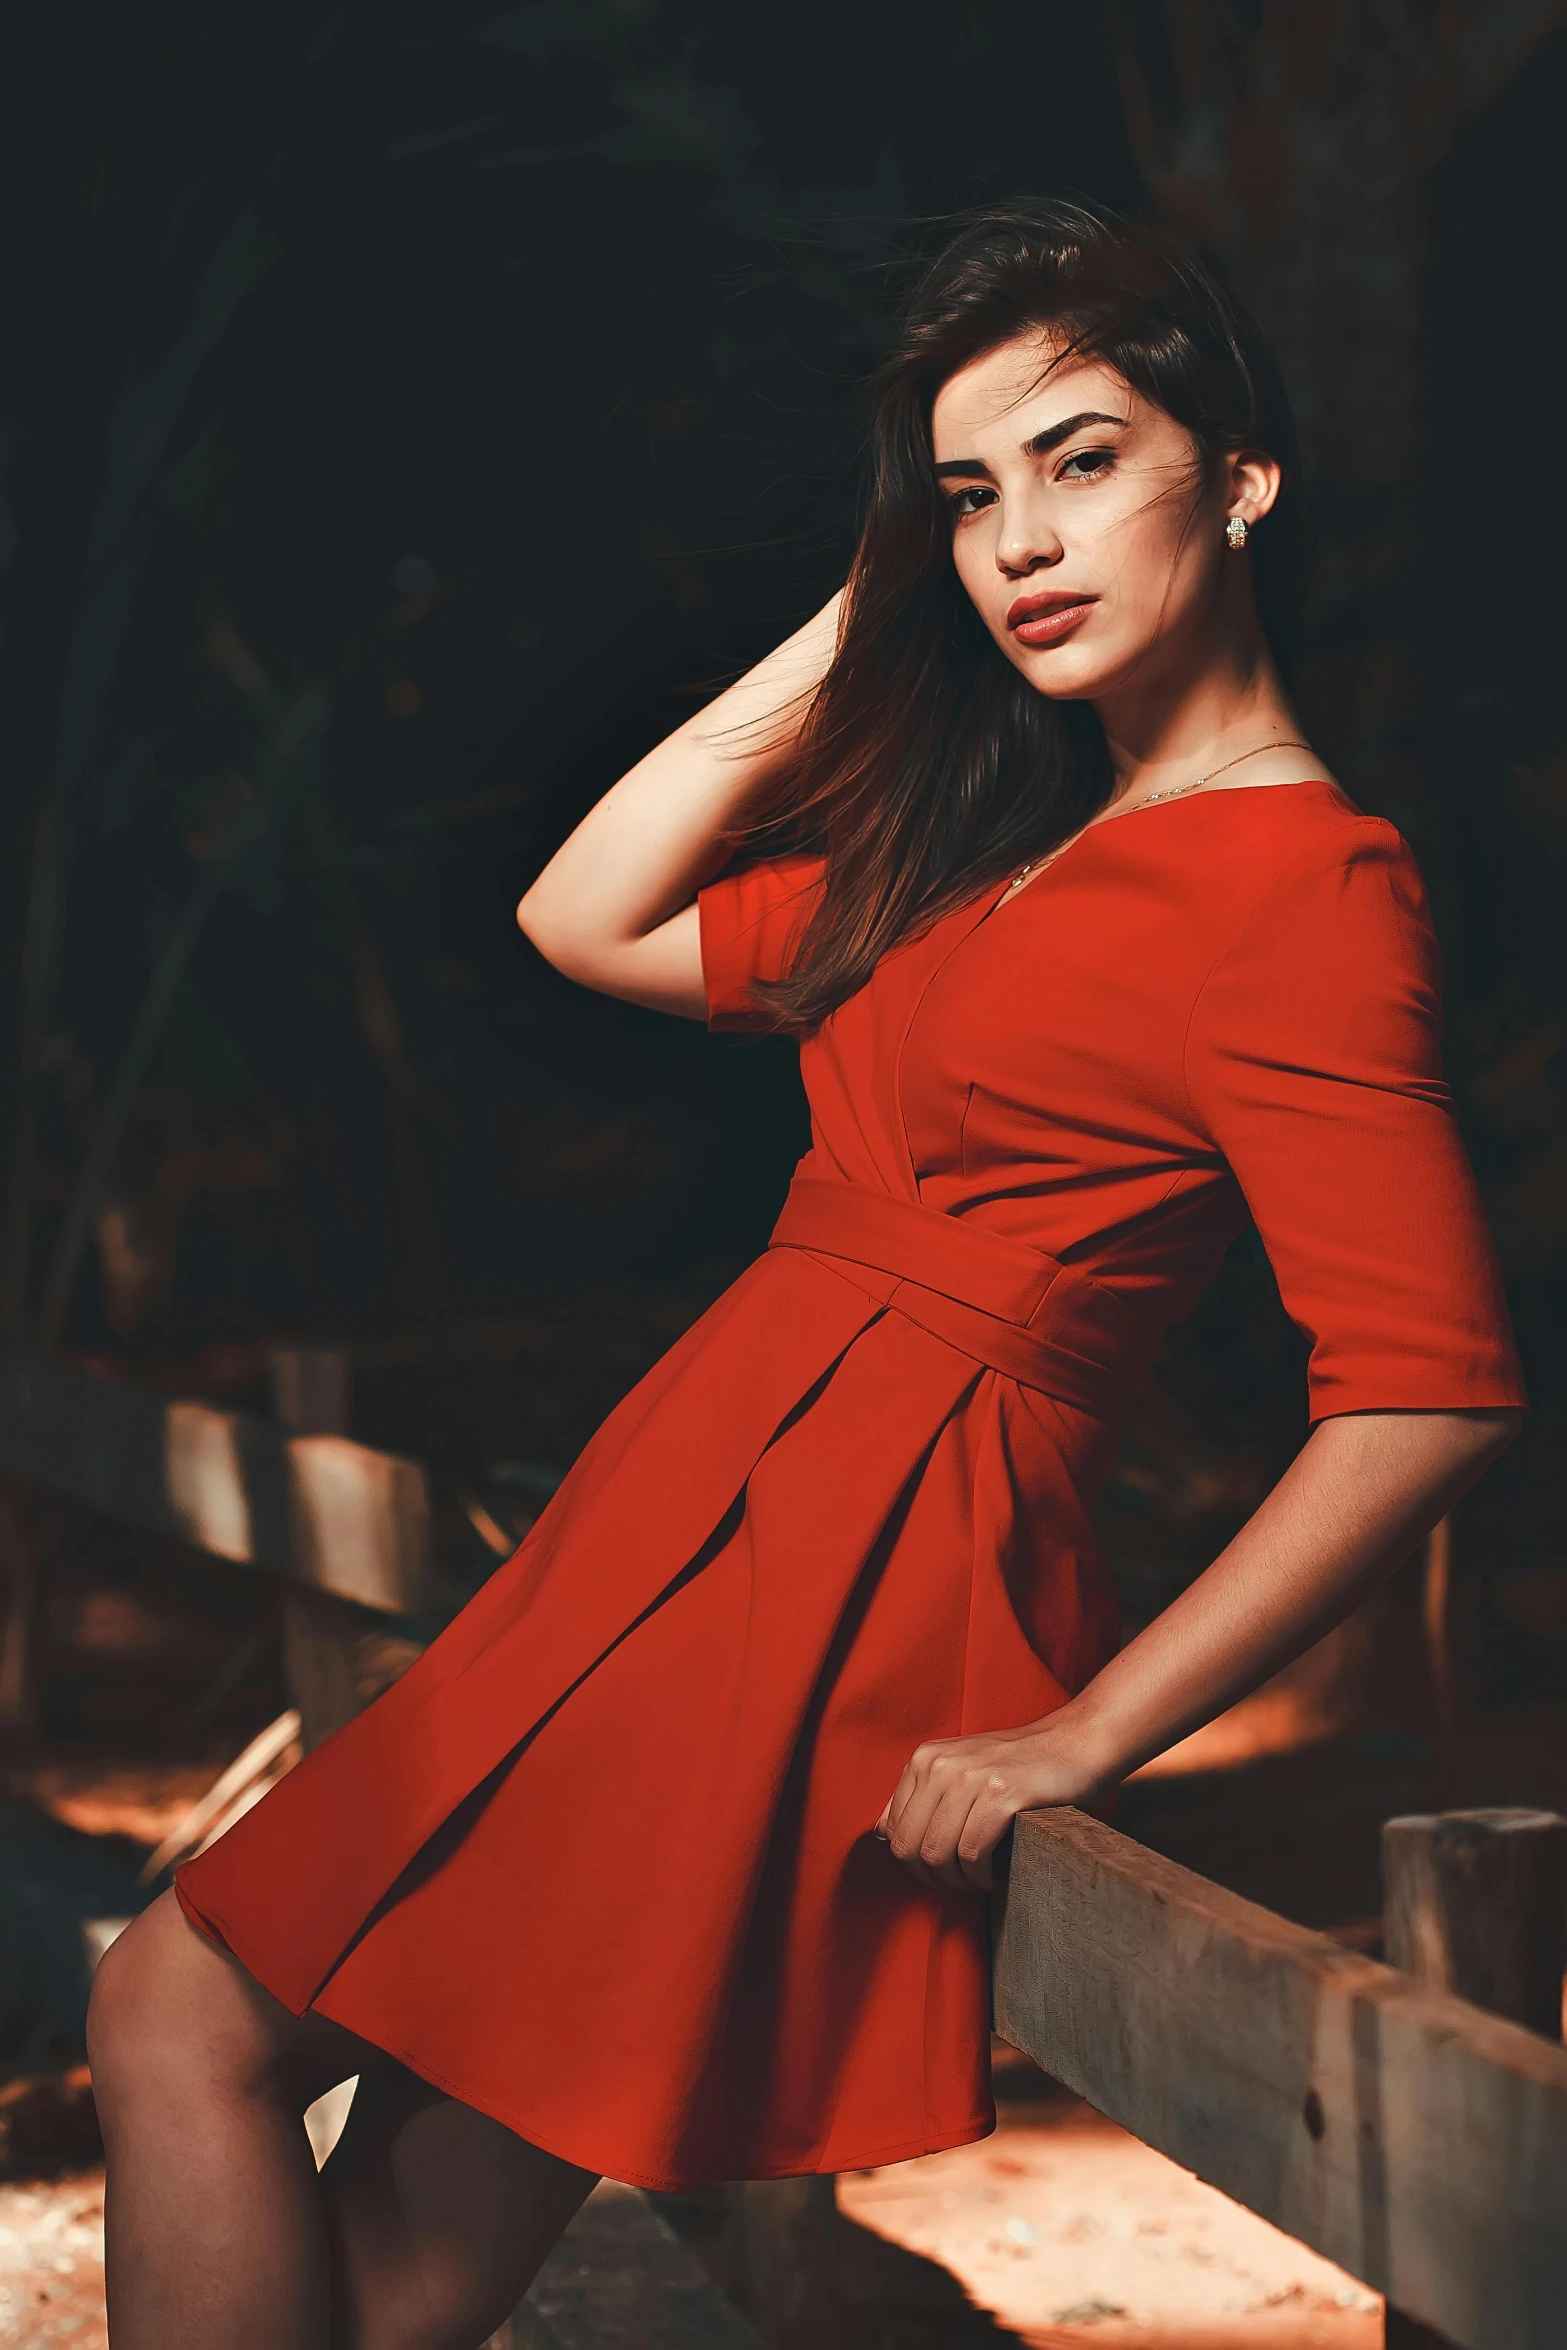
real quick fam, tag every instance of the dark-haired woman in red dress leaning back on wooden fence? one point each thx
(668, 1858)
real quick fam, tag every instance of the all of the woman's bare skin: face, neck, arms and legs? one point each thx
(431, 2220)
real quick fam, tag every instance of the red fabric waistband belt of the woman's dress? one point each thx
(997, 1301)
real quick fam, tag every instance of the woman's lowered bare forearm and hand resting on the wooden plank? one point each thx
(1354, 1503)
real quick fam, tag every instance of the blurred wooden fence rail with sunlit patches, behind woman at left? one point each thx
(316, 1508)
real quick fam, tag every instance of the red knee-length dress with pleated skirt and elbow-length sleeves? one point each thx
(603, 1865)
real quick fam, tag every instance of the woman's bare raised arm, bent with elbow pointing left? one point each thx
(617, 904)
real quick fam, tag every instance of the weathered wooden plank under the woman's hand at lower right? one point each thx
(1406, 2135)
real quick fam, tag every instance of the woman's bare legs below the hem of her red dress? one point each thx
(220, 2231)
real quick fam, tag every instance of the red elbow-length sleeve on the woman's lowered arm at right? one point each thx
(1314, 1063)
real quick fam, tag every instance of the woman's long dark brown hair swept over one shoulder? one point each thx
(927, 765)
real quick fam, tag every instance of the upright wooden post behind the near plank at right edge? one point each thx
(1477, 1905)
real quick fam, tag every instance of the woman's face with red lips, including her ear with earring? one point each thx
(1087, 525)
